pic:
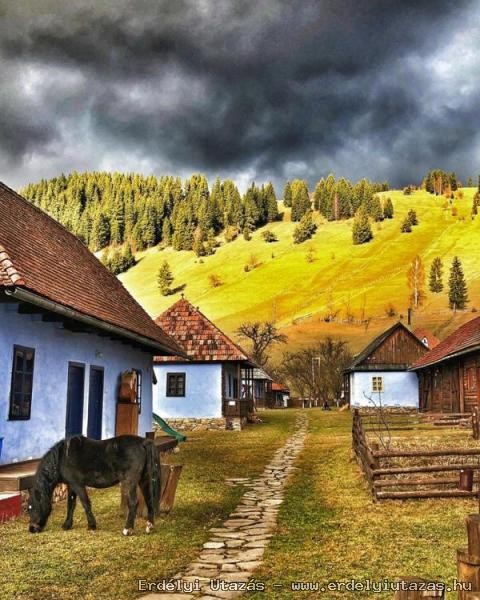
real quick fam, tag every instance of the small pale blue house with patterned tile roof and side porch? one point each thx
(214, 383)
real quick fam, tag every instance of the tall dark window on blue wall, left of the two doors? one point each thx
(22, 381)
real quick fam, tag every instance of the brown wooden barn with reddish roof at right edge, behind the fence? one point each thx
(449, 374)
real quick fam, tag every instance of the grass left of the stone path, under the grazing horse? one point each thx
(61, 565)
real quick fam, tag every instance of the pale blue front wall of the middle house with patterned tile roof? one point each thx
(203, 391)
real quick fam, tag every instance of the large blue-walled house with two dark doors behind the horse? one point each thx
(68, 330)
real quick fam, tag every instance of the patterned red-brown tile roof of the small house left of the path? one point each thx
(198, 336)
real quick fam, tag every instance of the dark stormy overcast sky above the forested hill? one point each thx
(247, 89)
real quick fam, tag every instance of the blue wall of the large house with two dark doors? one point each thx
(54, 349)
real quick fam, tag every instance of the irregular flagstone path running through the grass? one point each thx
(235, 550)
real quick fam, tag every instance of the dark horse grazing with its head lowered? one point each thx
(81, 462)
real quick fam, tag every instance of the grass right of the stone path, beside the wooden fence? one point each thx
(331, 530)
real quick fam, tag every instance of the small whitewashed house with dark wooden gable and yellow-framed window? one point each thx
(379, 374)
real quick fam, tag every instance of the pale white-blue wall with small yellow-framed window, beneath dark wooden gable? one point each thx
(400, 388)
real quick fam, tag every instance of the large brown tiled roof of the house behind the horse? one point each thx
(41, 256)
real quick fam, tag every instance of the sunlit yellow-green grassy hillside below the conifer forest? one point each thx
(344, 279)
